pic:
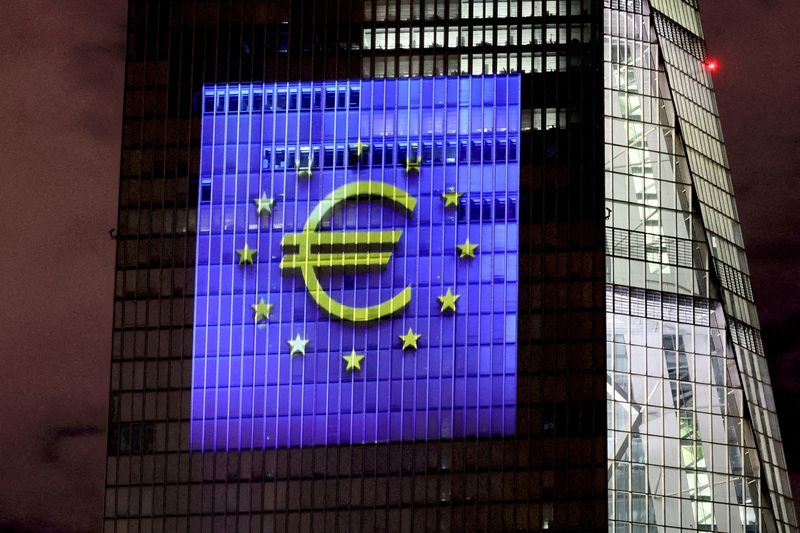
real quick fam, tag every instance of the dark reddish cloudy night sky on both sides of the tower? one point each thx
(61, 65)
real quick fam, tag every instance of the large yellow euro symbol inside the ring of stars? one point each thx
(347, 250)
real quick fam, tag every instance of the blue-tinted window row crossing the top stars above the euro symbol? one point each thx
(438, 152)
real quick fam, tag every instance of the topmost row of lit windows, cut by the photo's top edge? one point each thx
(478, 9)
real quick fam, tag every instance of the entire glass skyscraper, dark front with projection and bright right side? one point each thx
(432, 265)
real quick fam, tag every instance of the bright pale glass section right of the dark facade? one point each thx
(683, 454)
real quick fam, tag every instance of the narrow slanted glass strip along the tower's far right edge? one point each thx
(695, 106)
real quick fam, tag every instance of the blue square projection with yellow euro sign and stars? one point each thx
(357, 262)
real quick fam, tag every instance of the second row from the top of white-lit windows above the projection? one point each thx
(453, 37)
